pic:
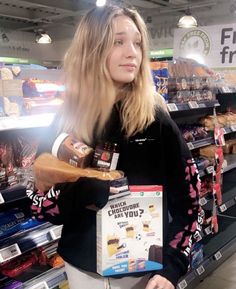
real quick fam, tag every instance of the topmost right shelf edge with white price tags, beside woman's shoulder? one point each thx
(175, 107)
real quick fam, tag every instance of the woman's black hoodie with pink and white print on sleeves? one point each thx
(159, 156)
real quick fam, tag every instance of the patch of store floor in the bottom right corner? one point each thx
(223, 277)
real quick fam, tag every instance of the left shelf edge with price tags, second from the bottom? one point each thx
(25, 241)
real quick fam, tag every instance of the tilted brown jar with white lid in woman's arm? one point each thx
(72, 151)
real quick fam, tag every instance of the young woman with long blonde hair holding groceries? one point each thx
(110, 97)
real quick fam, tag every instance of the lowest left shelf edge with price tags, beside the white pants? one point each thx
(48, 280)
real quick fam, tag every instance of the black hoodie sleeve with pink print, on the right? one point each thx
(182, 185)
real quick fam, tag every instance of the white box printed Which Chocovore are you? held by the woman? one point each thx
(130, 232)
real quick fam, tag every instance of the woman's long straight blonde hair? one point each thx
(90, 92)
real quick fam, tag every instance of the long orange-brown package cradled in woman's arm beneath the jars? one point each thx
(49, 170)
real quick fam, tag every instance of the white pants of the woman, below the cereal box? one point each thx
(79, 279)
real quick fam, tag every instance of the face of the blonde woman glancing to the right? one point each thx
(125, 56)
